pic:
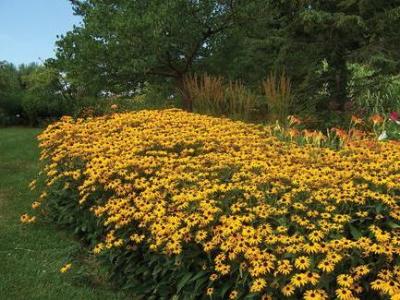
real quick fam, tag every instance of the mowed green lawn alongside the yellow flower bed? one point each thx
(31, 255)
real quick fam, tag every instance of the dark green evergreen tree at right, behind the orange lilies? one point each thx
(336, 31)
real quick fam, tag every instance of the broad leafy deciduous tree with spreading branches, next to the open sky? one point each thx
(123, 43)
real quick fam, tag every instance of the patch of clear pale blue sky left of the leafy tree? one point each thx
(28, 28)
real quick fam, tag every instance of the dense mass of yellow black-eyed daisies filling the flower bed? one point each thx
(300, 220)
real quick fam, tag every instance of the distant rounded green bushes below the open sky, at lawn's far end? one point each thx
(31, 94)
